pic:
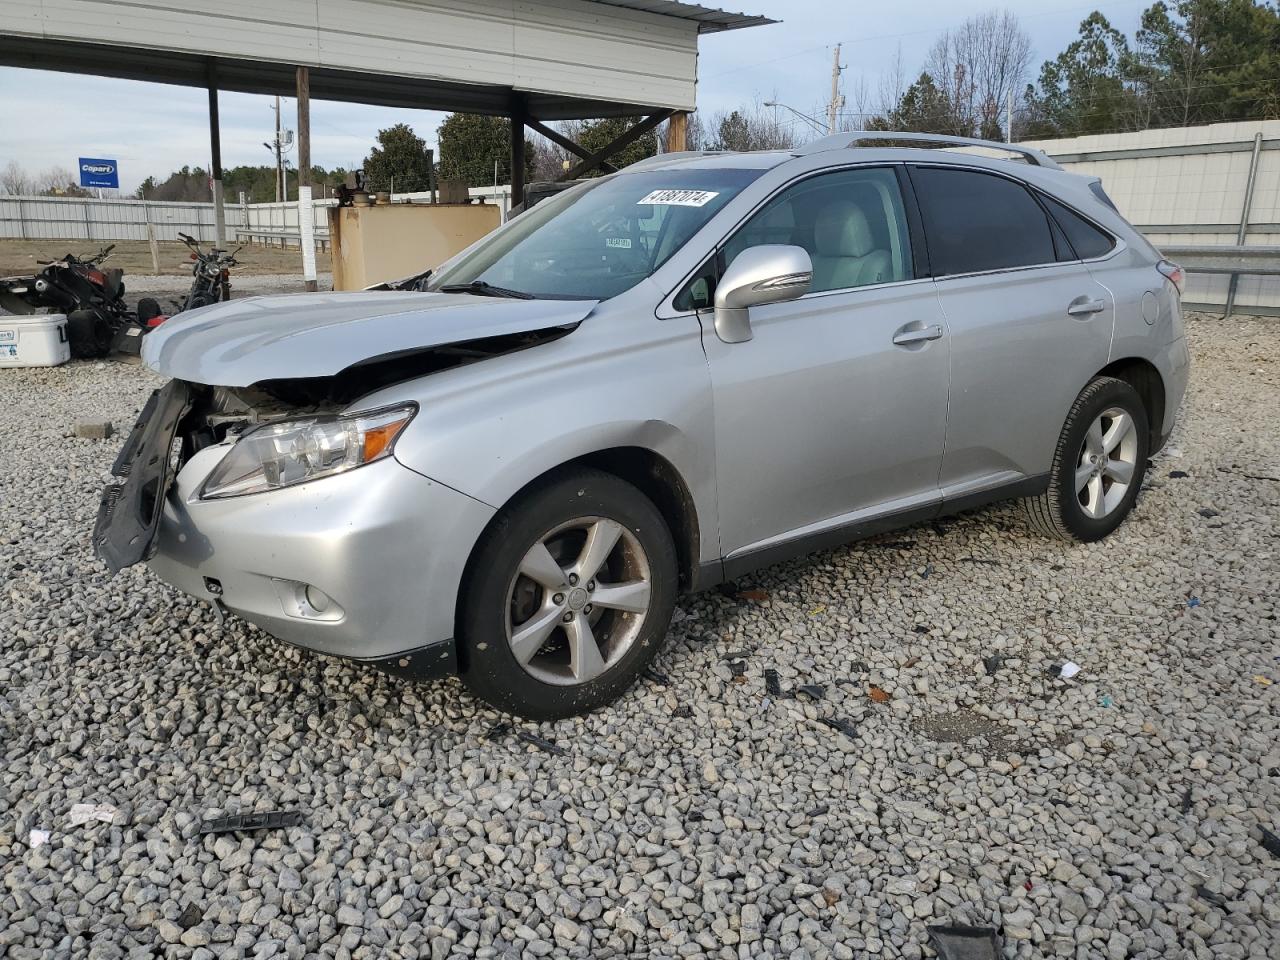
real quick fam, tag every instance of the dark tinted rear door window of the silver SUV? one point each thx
(977, 222)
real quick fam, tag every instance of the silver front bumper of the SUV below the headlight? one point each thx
(386, 546)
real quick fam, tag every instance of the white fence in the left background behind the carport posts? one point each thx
(90, 220)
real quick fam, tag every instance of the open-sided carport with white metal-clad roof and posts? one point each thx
(529, 61)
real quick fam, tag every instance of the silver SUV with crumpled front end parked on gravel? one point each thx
(652, 383)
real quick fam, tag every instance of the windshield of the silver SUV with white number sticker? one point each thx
(600, 240)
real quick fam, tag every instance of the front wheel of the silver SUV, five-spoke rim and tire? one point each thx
(568, 598)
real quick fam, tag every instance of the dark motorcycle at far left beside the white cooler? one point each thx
(93, 299)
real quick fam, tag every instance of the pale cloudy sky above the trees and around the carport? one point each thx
(154, 129)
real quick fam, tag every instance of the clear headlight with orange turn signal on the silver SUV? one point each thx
(296, 451)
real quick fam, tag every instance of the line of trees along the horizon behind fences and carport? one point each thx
(1190, 62)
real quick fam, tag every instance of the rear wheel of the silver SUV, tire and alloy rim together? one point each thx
(1099, 467)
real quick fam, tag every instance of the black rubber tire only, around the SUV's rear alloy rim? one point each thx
(1059, 511)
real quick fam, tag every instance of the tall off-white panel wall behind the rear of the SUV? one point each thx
(1187, 185)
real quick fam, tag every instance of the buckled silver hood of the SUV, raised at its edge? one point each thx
(244, 342)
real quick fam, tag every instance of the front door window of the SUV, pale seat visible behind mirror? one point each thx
(852, 223)
